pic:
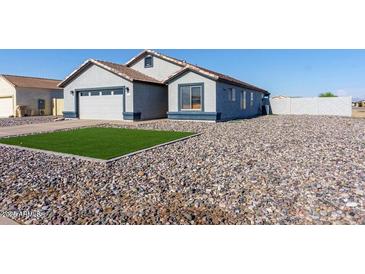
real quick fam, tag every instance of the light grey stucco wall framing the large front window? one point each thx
(193, 78)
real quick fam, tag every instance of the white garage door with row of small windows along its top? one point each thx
(101, 105)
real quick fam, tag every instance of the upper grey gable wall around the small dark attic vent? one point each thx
(161, 69)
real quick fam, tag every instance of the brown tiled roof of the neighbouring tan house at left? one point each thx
(31, 82)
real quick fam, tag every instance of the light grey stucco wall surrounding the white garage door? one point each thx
(96, 77)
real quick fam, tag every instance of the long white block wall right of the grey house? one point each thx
(340, 106)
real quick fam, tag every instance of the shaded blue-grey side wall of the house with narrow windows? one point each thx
(232, 110)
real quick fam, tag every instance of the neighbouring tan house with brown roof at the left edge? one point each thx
(31, 95)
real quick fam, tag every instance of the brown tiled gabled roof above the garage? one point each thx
(118, 69)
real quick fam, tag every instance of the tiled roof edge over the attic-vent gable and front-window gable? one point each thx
(187, 66)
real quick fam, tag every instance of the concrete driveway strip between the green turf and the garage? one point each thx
(45, 127)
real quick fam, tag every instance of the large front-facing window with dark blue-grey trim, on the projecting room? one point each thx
(191, 97)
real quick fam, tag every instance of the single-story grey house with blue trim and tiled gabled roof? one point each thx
(152, 85)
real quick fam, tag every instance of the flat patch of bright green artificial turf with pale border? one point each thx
(98, 142)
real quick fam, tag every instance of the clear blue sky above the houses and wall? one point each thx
(281, 72)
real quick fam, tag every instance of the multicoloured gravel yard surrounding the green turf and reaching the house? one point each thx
(267, 170)
